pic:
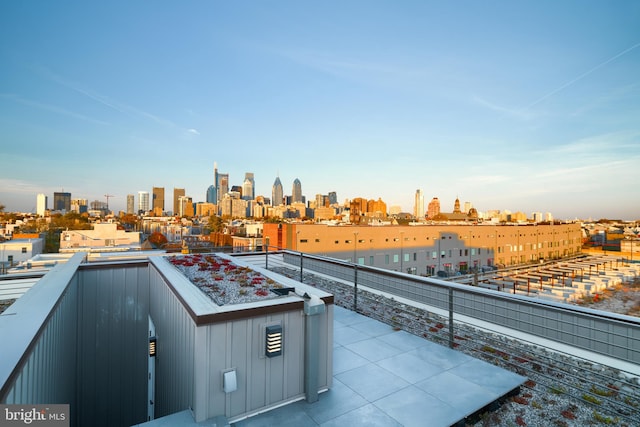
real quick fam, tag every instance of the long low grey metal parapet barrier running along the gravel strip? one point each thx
(613, 335)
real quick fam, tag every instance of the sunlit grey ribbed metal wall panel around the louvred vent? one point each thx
(262, 381)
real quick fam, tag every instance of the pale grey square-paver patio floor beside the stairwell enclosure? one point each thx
(386, 377)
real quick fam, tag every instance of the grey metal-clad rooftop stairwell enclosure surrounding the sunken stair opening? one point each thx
(126, 341)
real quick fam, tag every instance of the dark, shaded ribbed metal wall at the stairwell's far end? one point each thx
(113, 345)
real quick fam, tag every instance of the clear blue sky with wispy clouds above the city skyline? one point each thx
(526, 106)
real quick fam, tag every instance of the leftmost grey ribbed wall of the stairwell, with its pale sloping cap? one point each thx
(38, 339)
